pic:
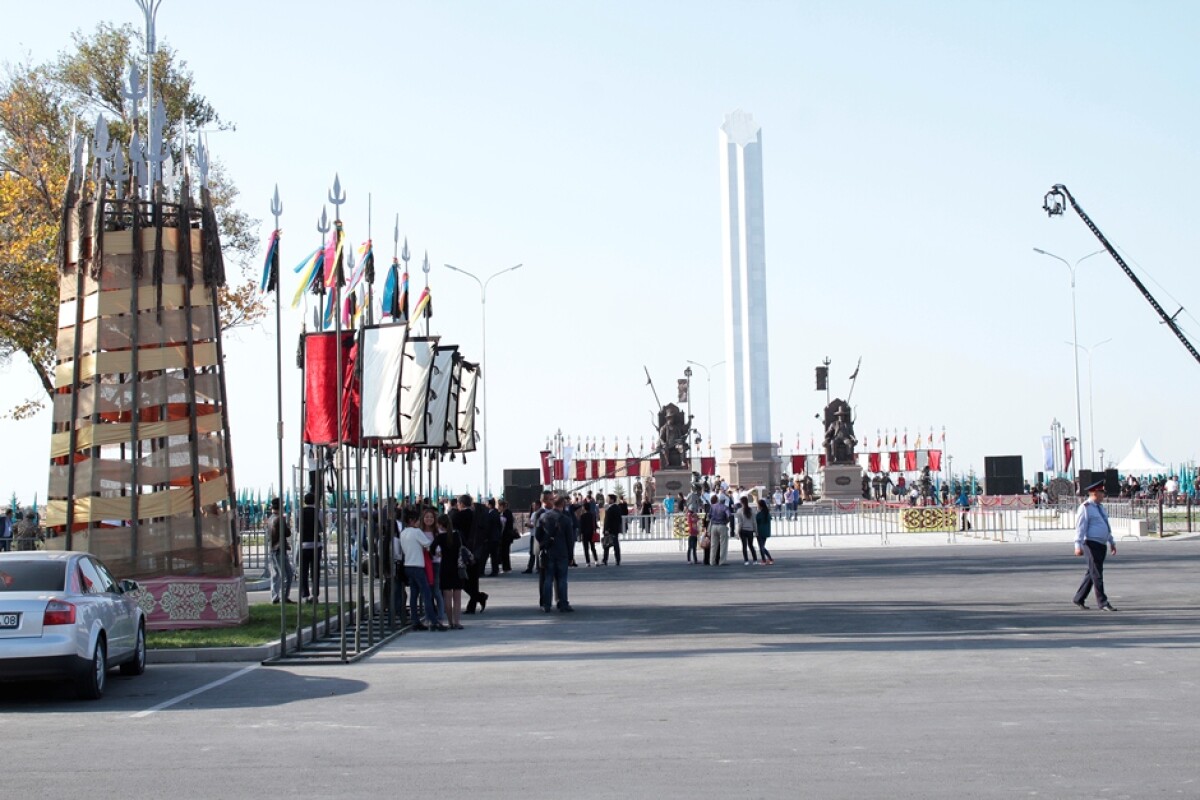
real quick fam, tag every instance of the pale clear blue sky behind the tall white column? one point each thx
(907, 152)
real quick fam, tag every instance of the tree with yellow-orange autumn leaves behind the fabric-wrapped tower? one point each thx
(39, 106)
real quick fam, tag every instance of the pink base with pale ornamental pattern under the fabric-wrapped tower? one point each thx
(177, 603)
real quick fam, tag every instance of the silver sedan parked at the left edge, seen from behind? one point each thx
(64, 616)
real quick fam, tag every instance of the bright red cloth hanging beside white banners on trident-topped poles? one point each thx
(322, 387)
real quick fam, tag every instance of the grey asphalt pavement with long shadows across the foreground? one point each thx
(946, 672)
